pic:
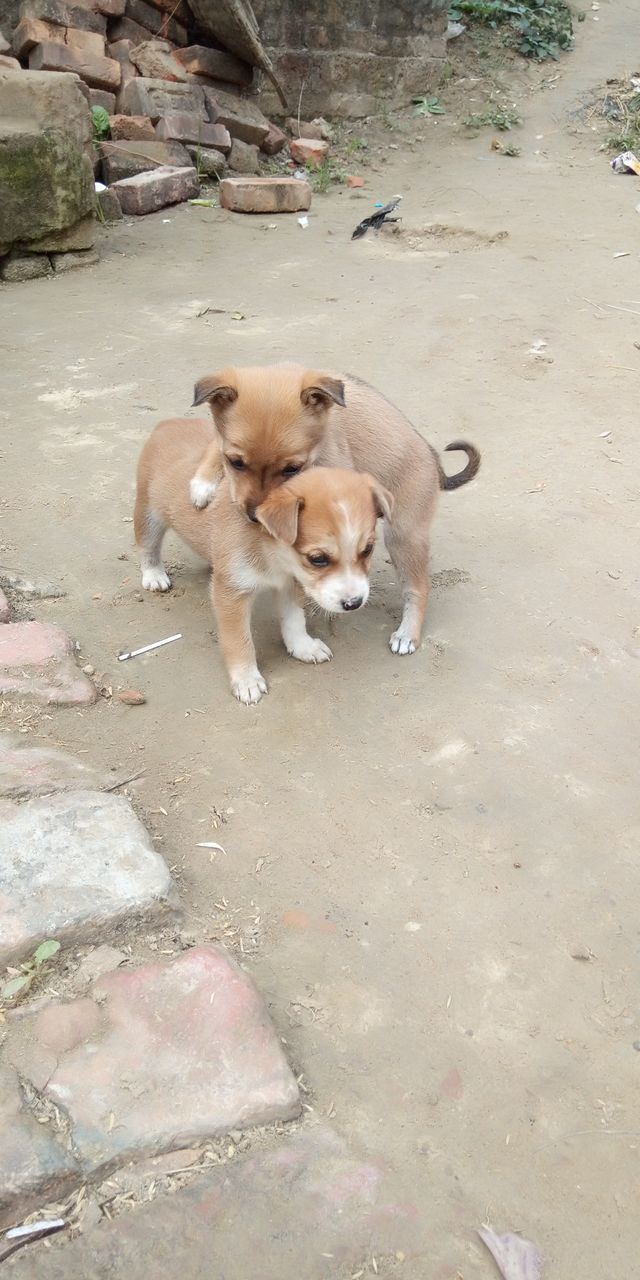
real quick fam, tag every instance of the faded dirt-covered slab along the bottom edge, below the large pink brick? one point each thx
(307, 1208)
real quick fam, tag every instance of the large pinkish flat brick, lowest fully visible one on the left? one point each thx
(175, 1053)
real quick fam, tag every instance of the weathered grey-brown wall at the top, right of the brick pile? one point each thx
(351, 56)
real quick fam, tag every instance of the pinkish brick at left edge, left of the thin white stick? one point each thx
(38, 659)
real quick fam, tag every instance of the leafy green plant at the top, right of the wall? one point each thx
(536, 29)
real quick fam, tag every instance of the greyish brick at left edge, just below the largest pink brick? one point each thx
(35, 1167)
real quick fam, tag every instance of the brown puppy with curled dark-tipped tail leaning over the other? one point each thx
(272, 424)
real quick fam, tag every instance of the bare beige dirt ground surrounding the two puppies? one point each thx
(431, 862)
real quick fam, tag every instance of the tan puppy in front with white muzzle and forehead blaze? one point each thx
(313, 537)
